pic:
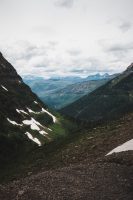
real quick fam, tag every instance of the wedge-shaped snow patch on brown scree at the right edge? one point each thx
(124, 147)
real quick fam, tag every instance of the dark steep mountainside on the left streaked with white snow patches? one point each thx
(24, 119)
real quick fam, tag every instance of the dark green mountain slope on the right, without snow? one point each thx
(110, 101)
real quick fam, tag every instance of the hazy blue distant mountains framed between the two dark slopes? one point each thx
(60, 91)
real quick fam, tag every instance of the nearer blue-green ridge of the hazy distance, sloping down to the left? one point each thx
(60, 98)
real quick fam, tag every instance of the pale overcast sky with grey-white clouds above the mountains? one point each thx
(67, 37)
